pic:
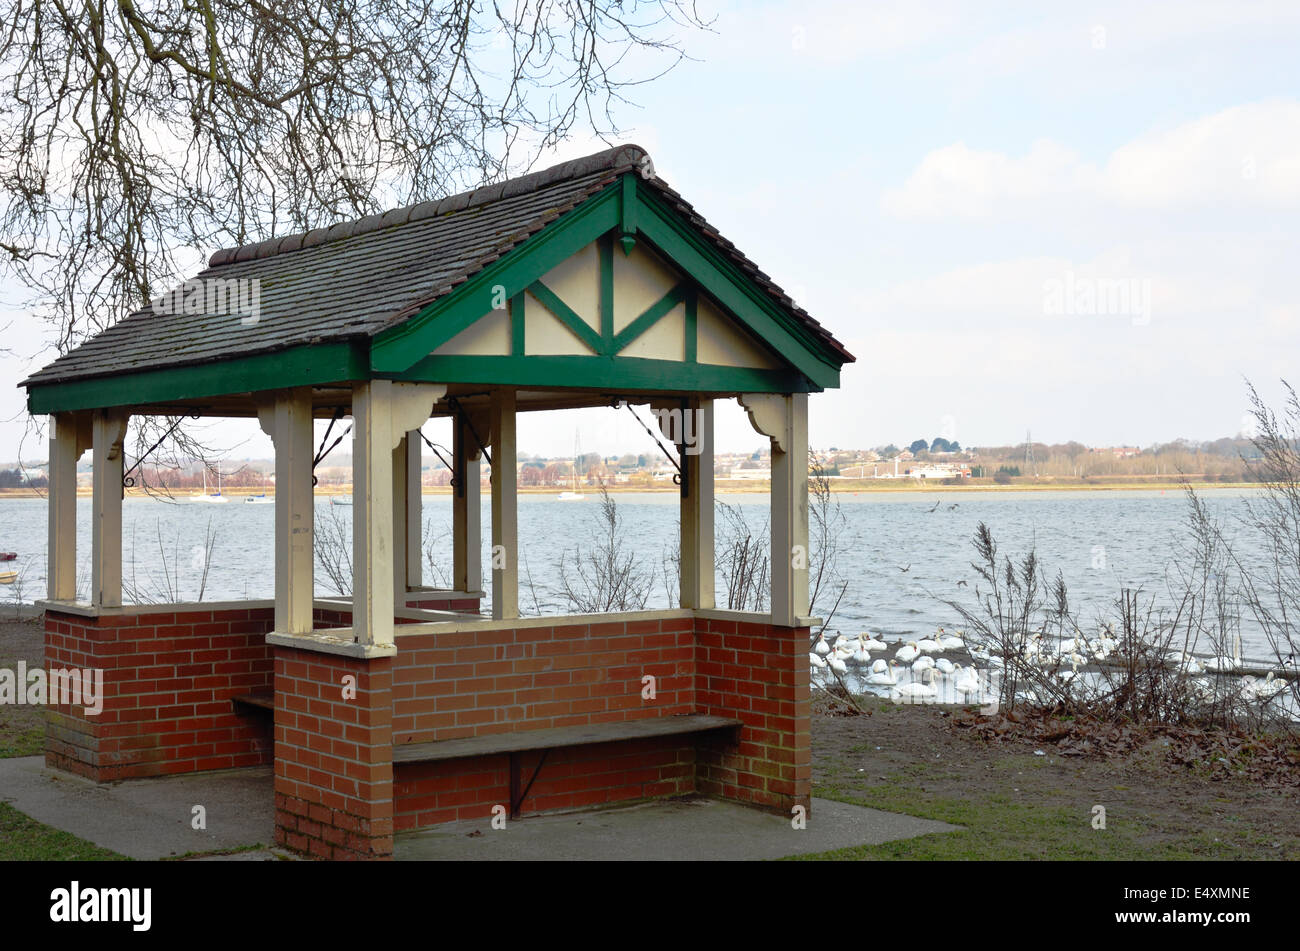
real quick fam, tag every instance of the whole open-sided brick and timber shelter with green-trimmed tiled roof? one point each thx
(586, 285)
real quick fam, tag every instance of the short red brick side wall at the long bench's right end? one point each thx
(760, 675)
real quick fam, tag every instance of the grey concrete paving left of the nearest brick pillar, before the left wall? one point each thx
(149, 819)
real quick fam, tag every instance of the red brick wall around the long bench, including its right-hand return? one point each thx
(467, 684)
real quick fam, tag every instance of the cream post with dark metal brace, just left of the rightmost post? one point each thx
(697, 510)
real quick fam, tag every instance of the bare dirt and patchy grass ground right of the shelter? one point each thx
(922, 761)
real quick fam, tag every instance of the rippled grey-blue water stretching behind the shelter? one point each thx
(1100, 542)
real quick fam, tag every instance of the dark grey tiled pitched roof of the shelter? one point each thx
(361, 277)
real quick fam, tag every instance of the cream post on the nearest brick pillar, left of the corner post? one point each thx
(289, 424)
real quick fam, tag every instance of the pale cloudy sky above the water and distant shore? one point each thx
(960, 192)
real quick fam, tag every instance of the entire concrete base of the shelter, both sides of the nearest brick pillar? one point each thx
(151, 819)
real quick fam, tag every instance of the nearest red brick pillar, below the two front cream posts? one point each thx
(333, 755)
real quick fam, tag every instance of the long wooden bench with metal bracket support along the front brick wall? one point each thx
(556, 739)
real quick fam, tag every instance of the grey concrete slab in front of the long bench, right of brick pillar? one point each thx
(677, 830)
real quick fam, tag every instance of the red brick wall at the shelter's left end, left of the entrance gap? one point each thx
(168, 681)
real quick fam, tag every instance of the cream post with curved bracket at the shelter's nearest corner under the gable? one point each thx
(384, 412)
